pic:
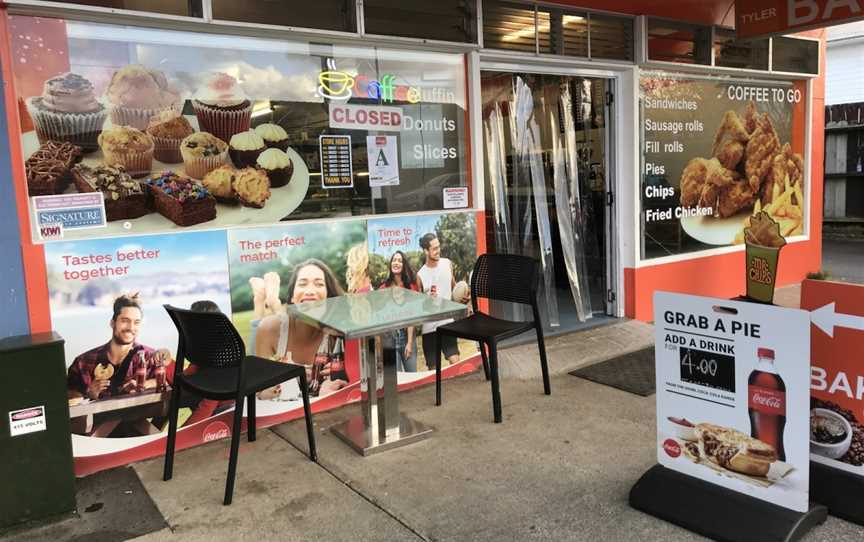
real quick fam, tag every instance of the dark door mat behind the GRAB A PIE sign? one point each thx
(633, 372)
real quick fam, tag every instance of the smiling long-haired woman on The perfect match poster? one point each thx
(282, 338)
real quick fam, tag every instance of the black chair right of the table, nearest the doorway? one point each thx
(503, 277)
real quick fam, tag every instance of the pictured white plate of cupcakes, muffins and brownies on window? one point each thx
(157, 169)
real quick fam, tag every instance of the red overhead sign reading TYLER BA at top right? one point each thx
(763, 18)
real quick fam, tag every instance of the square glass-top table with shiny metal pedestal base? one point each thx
(370, 317)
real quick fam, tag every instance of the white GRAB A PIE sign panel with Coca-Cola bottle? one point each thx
(733, 395)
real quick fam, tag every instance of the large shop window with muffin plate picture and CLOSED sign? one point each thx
(321, 130)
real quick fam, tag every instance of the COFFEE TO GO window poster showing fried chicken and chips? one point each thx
(716, 151)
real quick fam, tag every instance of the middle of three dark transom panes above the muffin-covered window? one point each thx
(321, 14)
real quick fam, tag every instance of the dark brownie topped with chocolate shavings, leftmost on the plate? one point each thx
(49, 168)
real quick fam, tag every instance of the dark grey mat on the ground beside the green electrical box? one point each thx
(112, 506)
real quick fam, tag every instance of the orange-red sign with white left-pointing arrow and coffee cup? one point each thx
(837, 374)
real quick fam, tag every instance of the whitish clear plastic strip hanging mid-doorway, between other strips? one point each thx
(529, 156)
